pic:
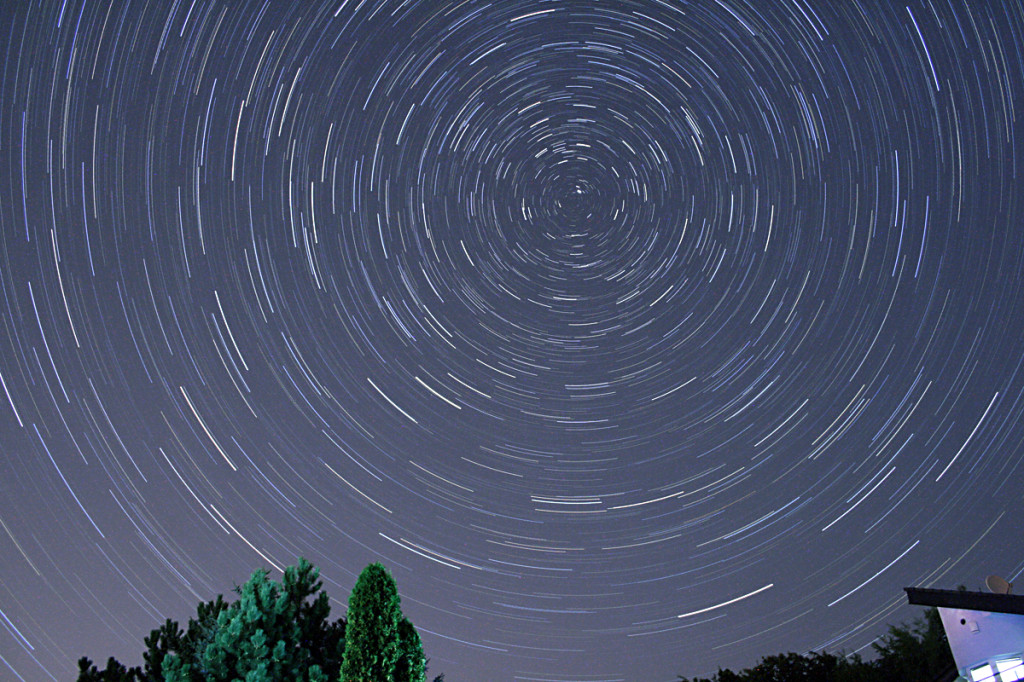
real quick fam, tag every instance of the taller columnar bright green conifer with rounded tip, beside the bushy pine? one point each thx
(372, 637)
